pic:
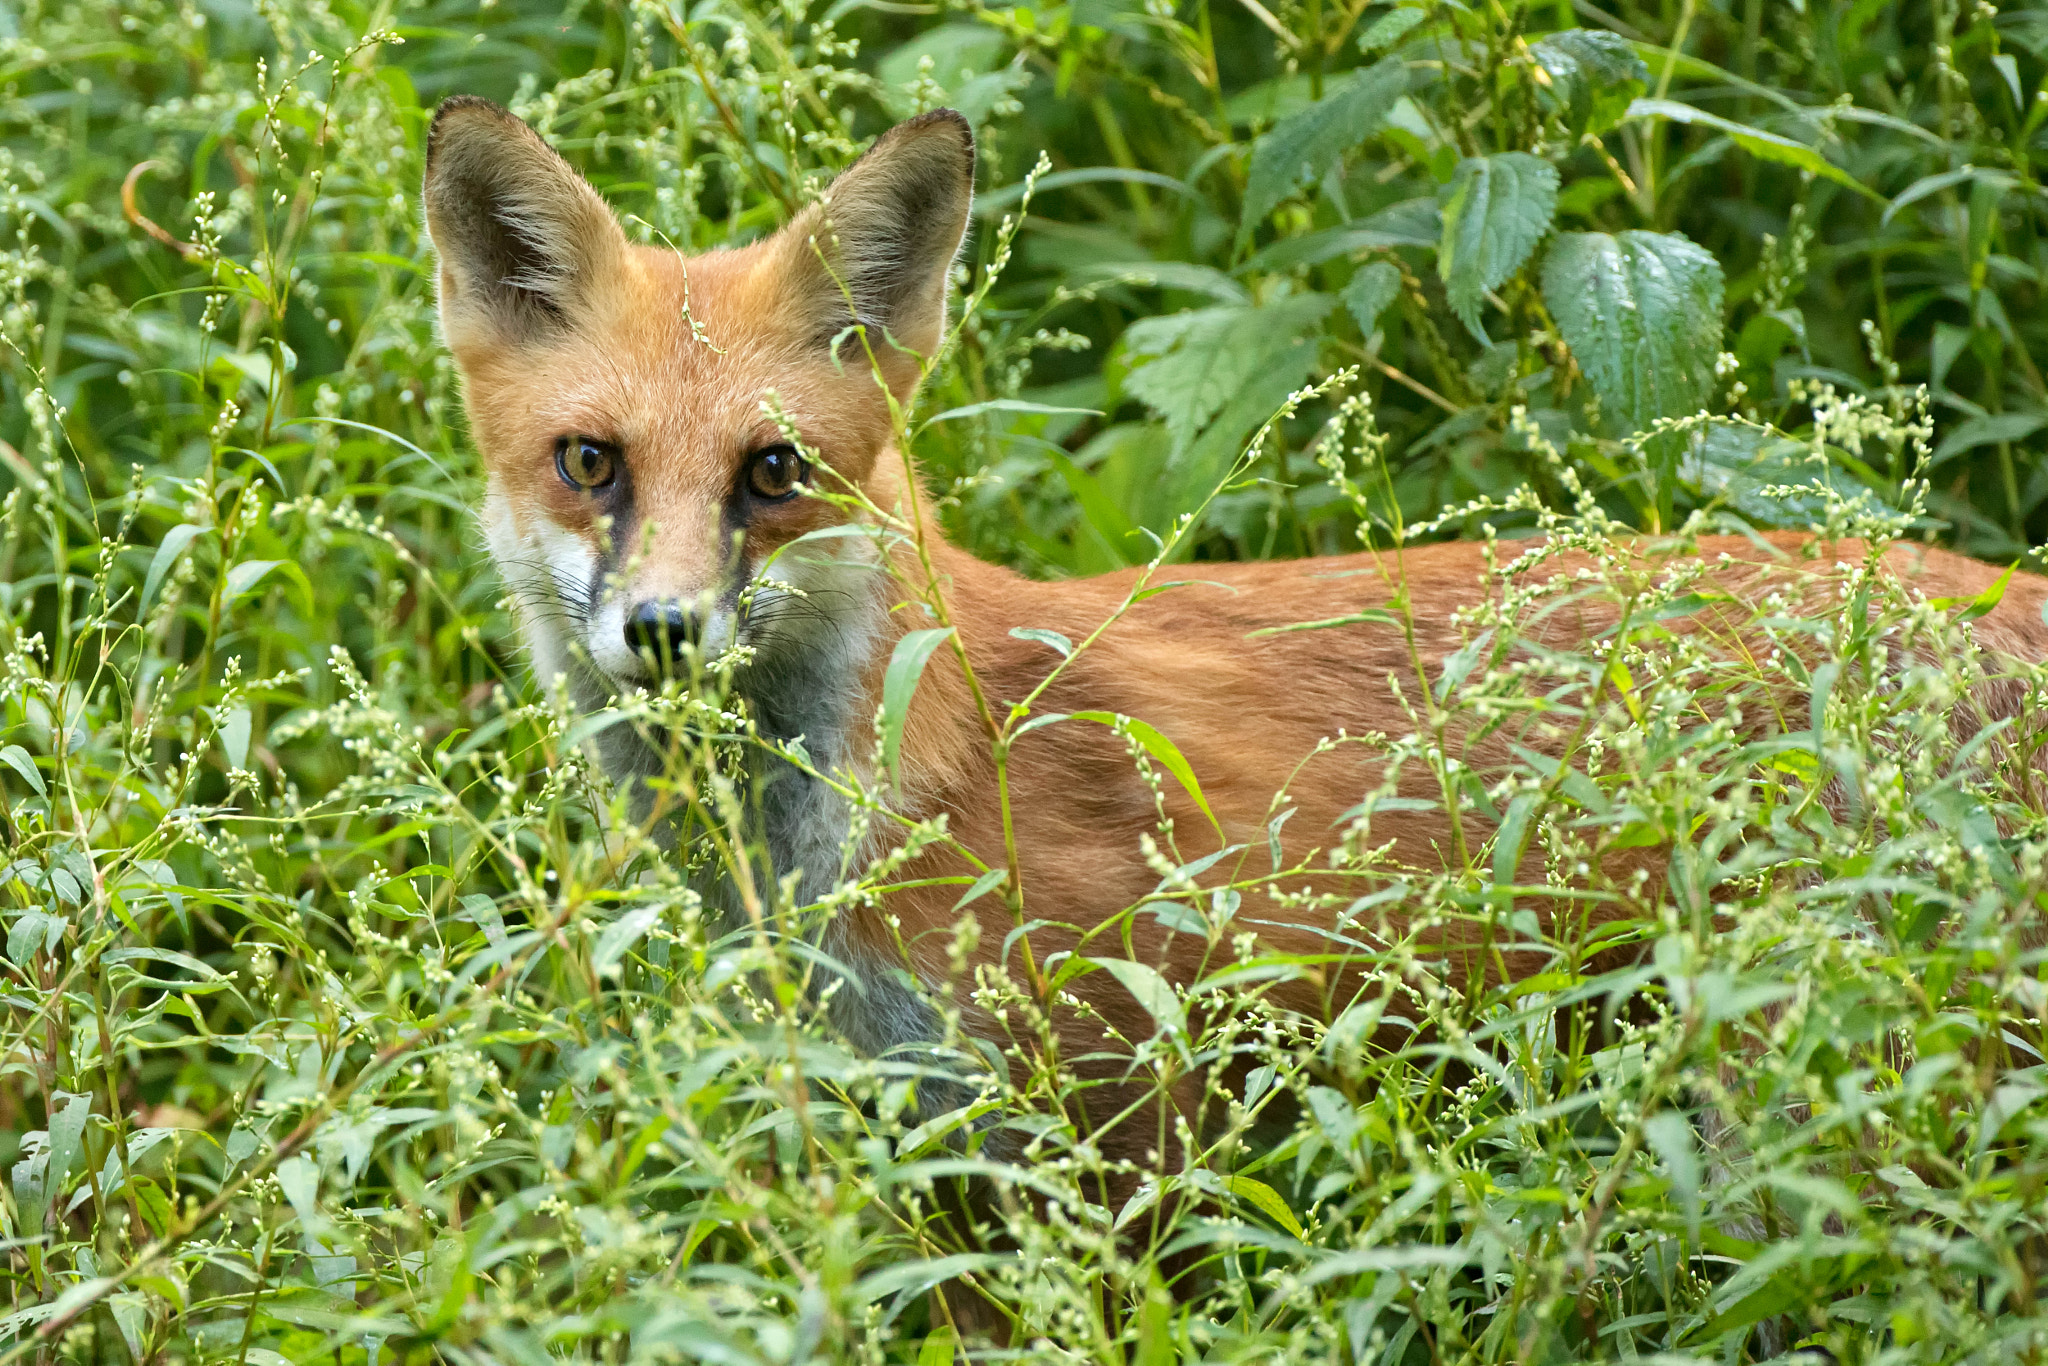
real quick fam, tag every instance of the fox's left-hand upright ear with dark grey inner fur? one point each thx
(523, 239)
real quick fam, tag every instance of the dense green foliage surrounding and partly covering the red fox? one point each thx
(343, 1015)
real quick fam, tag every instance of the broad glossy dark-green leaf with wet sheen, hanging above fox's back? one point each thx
(1641, 314)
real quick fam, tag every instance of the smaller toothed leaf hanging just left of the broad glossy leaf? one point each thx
(1496, 212)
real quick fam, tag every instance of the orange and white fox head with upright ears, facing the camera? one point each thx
(636, 482)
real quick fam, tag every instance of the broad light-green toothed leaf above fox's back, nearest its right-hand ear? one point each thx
(1189, 366)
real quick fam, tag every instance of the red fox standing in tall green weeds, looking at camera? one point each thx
(638, 488)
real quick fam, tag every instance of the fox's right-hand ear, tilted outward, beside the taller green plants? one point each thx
(878, 249)
